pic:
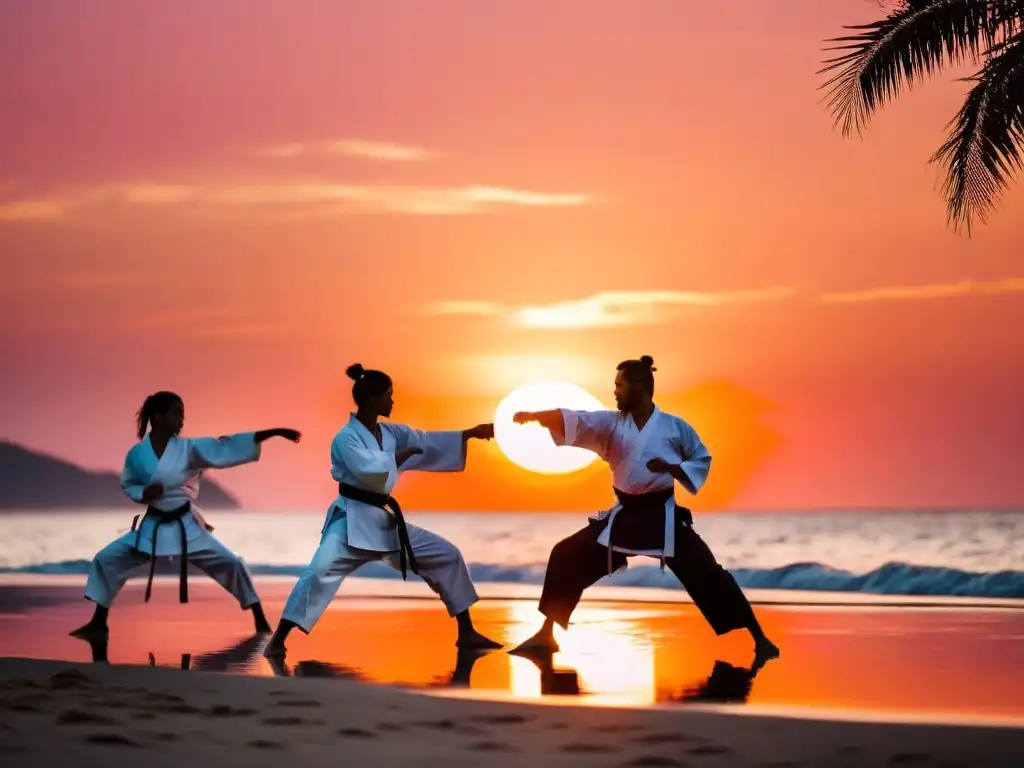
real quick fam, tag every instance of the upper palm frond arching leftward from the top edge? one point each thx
(918, 39)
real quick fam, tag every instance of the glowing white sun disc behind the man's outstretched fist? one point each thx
(530, 446)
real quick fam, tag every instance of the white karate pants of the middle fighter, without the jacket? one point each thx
(440, 564)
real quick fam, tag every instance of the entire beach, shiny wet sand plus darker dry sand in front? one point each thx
(635, 685)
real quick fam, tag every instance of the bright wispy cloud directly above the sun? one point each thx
(613, 309)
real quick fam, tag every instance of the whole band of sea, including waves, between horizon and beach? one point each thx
(914, 553)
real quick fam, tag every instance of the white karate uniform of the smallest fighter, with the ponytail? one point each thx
(179, 471)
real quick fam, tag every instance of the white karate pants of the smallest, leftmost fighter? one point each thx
(115, 563)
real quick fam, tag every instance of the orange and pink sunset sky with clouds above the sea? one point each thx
(236, 200)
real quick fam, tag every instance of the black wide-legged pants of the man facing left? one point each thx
(579, 562)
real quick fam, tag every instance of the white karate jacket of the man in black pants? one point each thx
(614, 437)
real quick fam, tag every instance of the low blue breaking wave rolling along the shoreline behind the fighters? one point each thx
(891, 579)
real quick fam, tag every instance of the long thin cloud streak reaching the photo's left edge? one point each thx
(315, 198)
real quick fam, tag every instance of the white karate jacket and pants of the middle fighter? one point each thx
(360, 533)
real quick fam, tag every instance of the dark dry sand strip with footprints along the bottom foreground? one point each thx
(61, 714)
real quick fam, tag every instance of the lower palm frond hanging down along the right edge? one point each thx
(987, 143)
